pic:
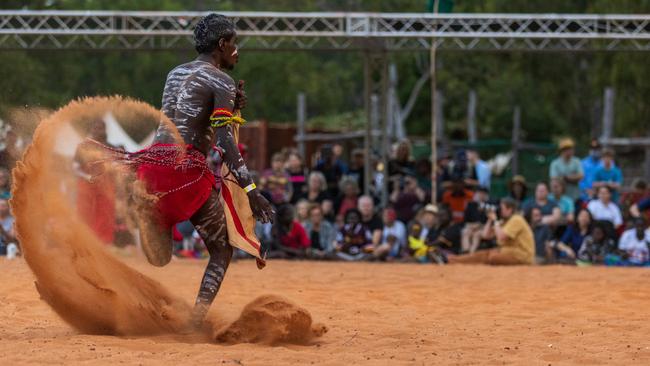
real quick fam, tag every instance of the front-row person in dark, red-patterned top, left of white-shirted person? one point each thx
(353, 241)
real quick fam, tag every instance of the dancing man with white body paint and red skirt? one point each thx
(200, 99)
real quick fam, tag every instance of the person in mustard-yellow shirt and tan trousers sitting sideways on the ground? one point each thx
(516, 244)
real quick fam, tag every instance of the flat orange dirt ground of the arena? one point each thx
(376, 314)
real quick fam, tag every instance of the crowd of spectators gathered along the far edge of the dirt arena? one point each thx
(580, 215)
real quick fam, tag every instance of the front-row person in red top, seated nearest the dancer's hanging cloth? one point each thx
(286, 238)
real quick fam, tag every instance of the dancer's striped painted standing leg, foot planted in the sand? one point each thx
(210, 222)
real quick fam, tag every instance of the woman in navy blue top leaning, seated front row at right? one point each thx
(572, 239)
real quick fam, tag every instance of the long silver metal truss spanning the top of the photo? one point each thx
(339, 31)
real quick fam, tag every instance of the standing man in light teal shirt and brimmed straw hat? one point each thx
(568, 168)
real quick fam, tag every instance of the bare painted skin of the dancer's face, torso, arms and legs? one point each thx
(190, 97)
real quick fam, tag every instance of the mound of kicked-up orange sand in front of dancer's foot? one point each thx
(271, 319)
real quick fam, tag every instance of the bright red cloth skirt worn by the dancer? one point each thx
(179, 176)
